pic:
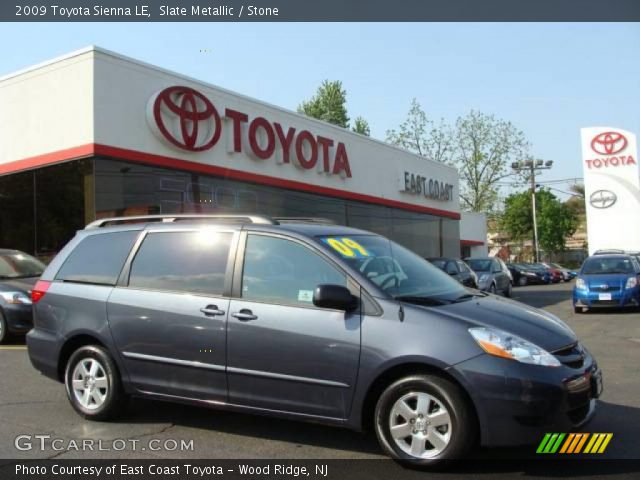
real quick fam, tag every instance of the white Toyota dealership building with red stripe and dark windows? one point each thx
(95, 134)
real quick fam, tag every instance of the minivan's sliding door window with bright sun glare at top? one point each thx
(194, 262)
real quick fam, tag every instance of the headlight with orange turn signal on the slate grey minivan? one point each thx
(506, 345)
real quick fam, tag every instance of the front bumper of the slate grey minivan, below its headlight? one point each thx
(518, 402)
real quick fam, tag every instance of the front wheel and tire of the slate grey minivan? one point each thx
(409, 396)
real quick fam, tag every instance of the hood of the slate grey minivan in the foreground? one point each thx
(536, 326)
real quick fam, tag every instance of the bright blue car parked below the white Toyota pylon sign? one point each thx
(607, 281)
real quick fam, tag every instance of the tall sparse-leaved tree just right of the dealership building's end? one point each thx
(485, 148)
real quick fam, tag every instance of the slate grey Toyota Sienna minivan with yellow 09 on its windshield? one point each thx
(303, 319)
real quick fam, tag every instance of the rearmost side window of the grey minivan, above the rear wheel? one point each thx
(98, 259)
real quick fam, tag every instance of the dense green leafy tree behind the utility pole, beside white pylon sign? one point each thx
(556, 221)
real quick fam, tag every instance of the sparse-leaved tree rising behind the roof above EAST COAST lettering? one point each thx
(421, 135)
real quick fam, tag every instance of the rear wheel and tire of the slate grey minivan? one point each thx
(102, 396)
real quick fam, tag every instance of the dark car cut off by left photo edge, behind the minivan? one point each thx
(18, 273)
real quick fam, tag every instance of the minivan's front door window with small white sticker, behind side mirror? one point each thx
(282, 271)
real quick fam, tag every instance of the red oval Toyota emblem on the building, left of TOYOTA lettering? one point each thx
(187, 119)
